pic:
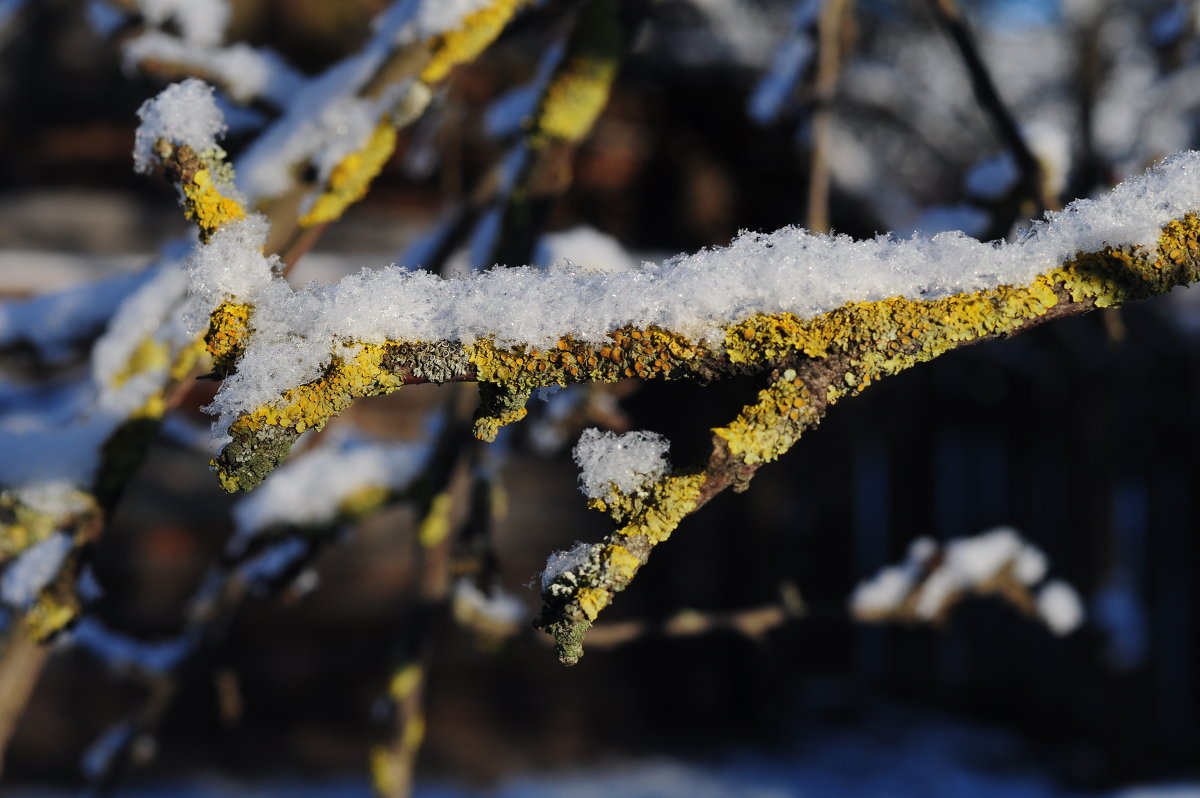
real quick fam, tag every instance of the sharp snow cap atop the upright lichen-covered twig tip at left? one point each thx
(183, 113)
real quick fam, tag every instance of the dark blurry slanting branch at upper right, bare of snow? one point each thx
(950, 16)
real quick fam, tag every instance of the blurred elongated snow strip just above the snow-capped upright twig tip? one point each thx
(244, 71)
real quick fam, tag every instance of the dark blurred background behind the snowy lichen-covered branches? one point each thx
(1081, 435)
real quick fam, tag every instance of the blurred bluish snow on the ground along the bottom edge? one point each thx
(893, 754)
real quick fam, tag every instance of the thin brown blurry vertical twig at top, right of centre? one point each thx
(833, 27)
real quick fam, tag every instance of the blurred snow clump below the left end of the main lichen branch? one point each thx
(310, 489)
